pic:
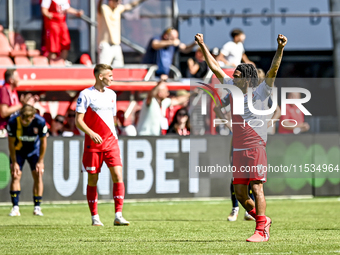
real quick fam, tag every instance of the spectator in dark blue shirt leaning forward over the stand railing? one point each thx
(161, 50)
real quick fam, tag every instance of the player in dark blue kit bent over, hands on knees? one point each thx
(27, 141)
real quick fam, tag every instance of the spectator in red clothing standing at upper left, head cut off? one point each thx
(57, 35)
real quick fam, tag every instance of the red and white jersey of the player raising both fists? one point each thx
(247, 136)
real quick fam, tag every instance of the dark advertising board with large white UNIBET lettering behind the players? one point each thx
(162, 168)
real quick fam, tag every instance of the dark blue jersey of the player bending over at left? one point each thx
(27, 142)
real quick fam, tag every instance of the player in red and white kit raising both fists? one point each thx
(249, 141)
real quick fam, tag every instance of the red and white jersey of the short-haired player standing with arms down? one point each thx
(99, 109)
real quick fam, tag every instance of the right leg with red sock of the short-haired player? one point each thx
(118, 194)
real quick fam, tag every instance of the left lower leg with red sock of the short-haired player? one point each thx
(92, 198)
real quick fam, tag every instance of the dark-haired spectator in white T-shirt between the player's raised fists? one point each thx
(232, 53)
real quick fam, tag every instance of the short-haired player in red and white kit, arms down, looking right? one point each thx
(95, 111)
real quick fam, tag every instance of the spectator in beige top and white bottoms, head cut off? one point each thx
(109, 35)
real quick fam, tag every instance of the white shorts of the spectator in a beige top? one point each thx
(110, 54)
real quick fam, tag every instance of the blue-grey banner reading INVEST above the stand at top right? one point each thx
(312, 33)
